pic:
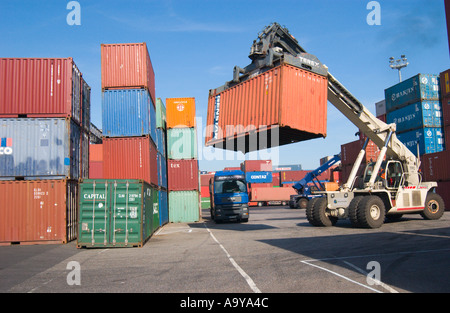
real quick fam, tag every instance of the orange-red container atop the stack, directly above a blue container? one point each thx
(127, 65)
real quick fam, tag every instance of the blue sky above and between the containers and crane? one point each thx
(194, 46)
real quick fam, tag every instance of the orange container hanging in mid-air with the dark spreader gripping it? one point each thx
(280, 98)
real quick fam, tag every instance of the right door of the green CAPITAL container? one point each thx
(126, 214)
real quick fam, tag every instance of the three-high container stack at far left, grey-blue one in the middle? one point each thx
(44, 148)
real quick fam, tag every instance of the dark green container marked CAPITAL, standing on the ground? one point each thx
(115, 213)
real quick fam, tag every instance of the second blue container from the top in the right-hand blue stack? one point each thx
(426, 113)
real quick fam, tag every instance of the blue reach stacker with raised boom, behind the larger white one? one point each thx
(303, 188)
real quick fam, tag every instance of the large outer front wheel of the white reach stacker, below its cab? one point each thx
(371, 212)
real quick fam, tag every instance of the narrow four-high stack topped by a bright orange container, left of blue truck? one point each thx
(182, 162)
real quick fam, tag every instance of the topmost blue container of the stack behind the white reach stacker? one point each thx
(417, 88)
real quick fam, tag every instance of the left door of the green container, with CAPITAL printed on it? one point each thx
(94, 213)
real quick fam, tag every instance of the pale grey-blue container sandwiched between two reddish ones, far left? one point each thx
(40, 148)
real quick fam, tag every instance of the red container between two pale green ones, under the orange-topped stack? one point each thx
(182, 175)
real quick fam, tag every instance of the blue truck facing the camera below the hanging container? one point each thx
(228, 196)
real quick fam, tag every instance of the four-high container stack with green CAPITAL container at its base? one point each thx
(129, 153)
